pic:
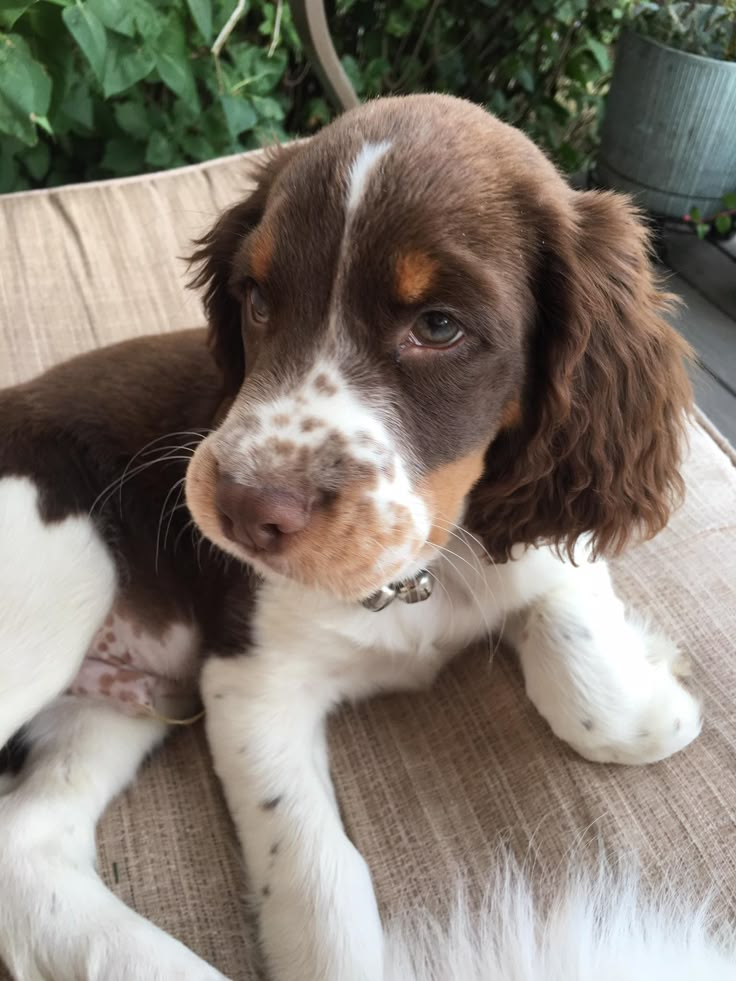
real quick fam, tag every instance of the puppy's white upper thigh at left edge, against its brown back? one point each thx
(57, 582)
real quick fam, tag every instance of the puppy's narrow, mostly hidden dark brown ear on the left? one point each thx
(214, 256)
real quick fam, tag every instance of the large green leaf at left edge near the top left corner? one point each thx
(25, 90)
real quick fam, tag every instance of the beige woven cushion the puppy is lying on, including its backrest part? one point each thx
(430, 783)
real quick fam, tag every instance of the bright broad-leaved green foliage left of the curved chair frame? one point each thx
(93, 88)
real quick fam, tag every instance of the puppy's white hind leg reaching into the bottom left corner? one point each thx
(57, 919)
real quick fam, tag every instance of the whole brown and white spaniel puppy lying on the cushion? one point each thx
(434, 363)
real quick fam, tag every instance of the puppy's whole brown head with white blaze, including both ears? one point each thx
(418, 320)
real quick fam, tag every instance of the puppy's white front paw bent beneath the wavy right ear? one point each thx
(605, 682)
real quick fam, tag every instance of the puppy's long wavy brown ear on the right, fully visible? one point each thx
(599, 444)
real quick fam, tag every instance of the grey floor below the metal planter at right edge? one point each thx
(704, 275)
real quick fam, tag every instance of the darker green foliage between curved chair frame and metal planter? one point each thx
(543, 65)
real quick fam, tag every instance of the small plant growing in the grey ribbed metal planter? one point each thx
(707, 29)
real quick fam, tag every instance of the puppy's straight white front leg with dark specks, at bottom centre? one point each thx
(266, 726)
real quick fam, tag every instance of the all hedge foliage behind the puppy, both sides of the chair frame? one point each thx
(99, 88)
